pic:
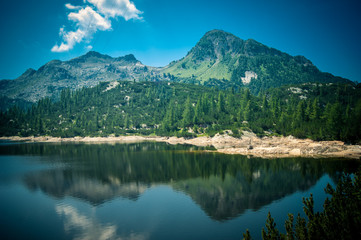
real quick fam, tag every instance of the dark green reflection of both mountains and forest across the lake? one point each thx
(224, 186)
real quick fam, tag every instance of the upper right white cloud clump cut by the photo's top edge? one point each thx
(115, 8)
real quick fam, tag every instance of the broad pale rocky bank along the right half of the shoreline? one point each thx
(270, 147)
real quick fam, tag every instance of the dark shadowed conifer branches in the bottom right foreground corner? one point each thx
(340, 218)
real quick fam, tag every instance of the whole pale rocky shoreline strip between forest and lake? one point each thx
(249, 144)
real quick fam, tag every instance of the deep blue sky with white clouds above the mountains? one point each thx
(327, 32)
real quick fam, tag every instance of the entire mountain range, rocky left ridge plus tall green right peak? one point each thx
(218, 59)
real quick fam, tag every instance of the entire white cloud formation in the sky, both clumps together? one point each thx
(95, 15)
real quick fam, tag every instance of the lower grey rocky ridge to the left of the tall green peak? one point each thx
(84, 71)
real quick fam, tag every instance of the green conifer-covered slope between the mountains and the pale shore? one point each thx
(317, 111)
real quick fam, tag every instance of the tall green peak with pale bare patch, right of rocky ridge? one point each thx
(220, 58)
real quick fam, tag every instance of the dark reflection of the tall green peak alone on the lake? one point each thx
(228, 197)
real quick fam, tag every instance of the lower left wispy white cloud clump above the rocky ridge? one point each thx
(87, 22)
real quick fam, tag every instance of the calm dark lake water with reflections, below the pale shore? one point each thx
(151, 191)
